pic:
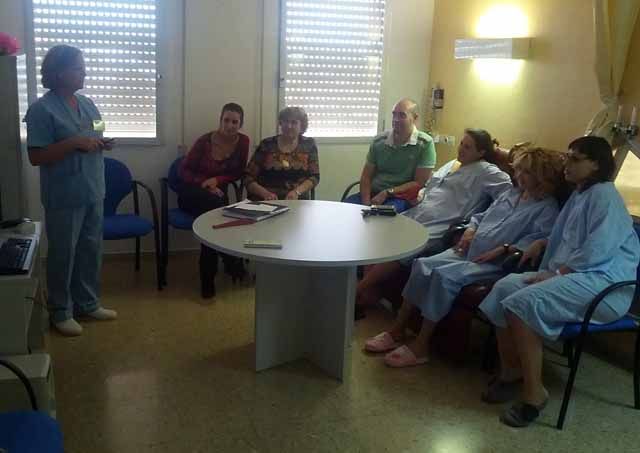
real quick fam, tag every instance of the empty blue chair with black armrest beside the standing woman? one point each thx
(120, 184)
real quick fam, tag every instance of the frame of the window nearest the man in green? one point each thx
(282, 72)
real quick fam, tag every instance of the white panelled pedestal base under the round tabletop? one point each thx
(304, 312)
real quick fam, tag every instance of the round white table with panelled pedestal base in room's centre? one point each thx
(305, 292)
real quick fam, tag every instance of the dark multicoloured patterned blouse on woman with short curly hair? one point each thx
(280, 172)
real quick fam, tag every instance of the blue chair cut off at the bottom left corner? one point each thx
(28, 432)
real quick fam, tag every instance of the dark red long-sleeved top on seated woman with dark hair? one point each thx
(199, 164)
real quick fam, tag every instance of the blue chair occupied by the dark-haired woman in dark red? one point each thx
(176, 217)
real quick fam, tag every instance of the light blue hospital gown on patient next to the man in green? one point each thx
(453, 197)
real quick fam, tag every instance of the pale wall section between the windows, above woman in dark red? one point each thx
(222, 63)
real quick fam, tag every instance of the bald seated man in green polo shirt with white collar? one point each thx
(399, 163)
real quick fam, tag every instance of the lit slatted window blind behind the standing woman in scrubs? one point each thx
(118, 40)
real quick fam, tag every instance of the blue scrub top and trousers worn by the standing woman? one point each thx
(72, 192)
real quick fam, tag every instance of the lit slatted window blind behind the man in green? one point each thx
(332, 64)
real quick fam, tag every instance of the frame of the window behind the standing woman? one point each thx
(33, 78)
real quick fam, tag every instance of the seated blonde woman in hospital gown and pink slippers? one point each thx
(518, 218)
